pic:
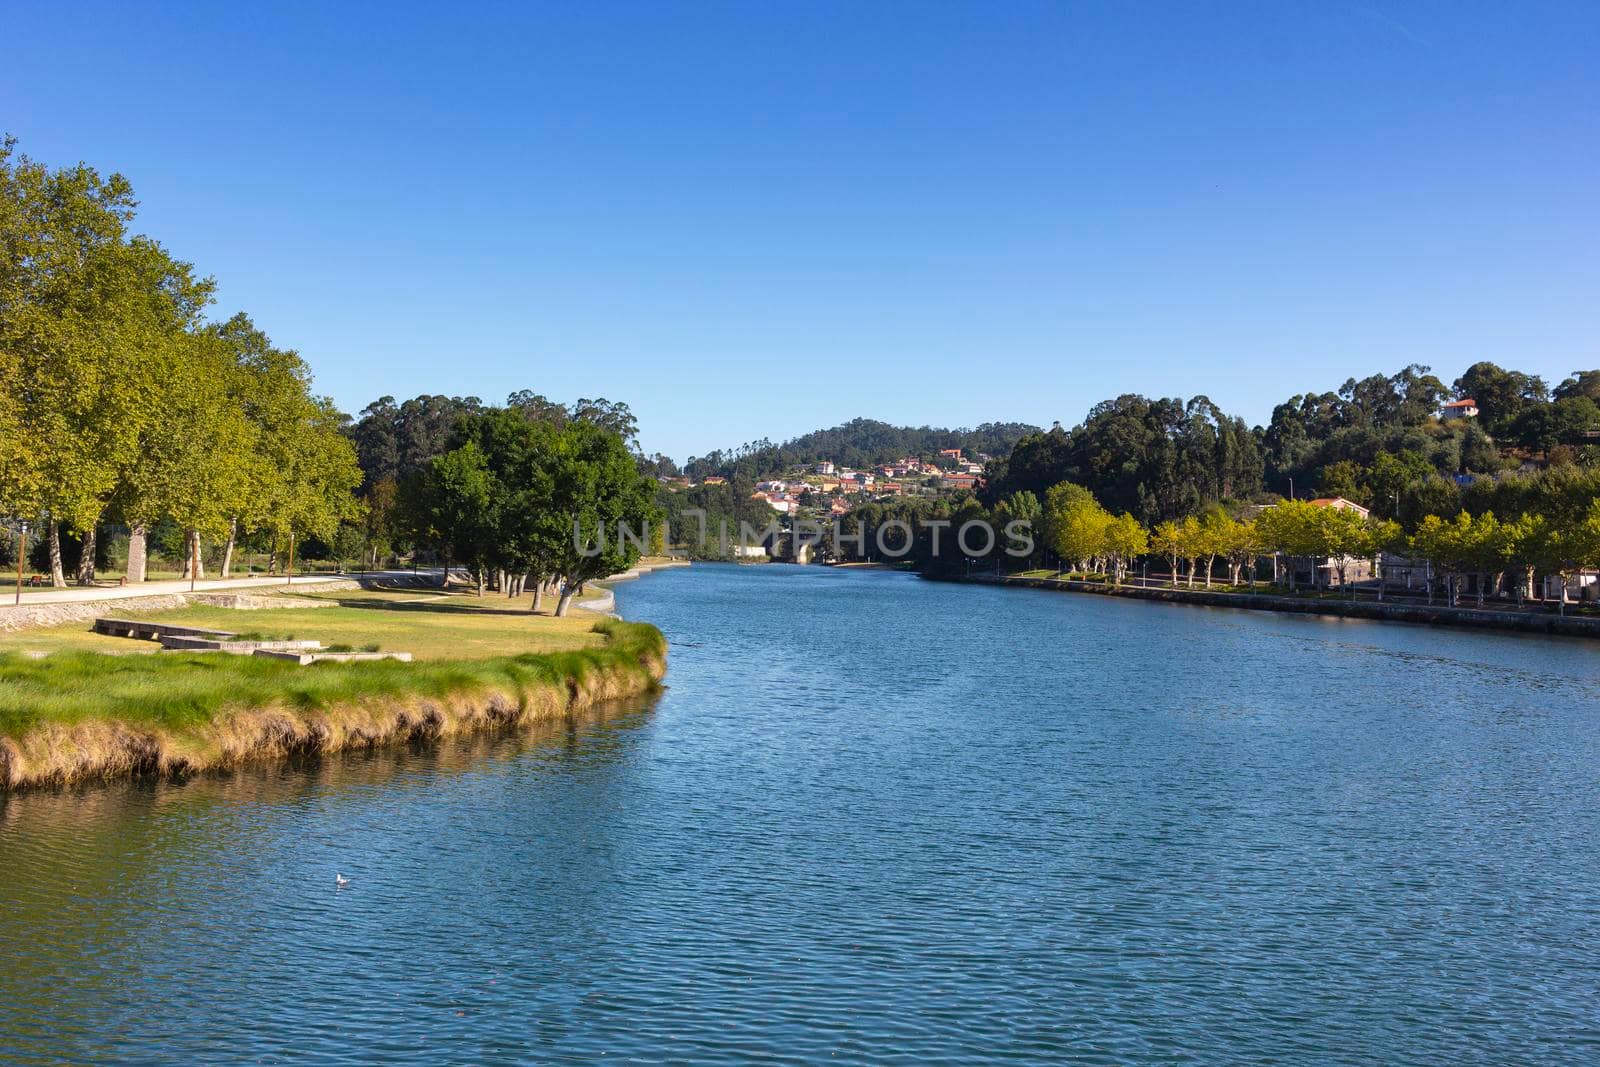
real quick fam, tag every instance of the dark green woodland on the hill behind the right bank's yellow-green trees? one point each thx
(1377, 441)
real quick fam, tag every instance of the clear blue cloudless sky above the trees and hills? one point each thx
(759, 220)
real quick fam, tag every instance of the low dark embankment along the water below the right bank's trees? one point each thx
(1385, 612)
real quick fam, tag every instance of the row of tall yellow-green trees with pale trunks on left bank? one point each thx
(122, 404)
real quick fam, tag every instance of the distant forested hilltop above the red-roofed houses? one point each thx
(857, 444)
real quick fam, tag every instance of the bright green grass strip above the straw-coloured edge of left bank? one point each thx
(182, 693)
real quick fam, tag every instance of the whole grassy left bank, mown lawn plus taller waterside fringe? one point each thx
(78, 714)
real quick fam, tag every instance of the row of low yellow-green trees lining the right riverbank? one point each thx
(1076, 532)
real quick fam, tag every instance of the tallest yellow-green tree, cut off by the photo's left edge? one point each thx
(82, 310)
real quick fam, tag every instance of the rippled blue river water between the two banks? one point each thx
(873, 820)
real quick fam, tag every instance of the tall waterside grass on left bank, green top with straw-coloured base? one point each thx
(76, 716)
